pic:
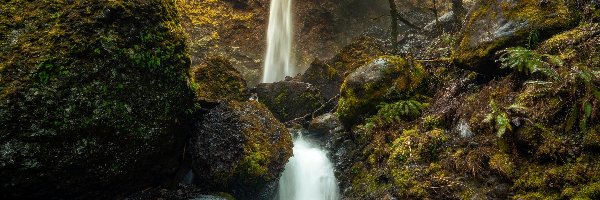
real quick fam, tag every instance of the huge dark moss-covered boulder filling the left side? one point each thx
(91, 97)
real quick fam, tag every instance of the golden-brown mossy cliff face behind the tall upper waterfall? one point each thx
(237, 29)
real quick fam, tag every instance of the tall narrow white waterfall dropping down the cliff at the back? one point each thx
(278, 61)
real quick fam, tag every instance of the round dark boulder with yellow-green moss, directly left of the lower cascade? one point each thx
(240, 148)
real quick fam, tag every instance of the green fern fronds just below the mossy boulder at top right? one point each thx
(528, 62)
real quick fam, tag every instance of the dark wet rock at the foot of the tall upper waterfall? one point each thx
(289, 100)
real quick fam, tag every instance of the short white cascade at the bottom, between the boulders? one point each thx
(308, 175)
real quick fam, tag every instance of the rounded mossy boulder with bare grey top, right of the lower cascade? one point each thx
(385, 78)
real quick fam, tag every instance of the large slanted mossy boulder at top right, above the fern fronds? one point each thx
(494, 25)
